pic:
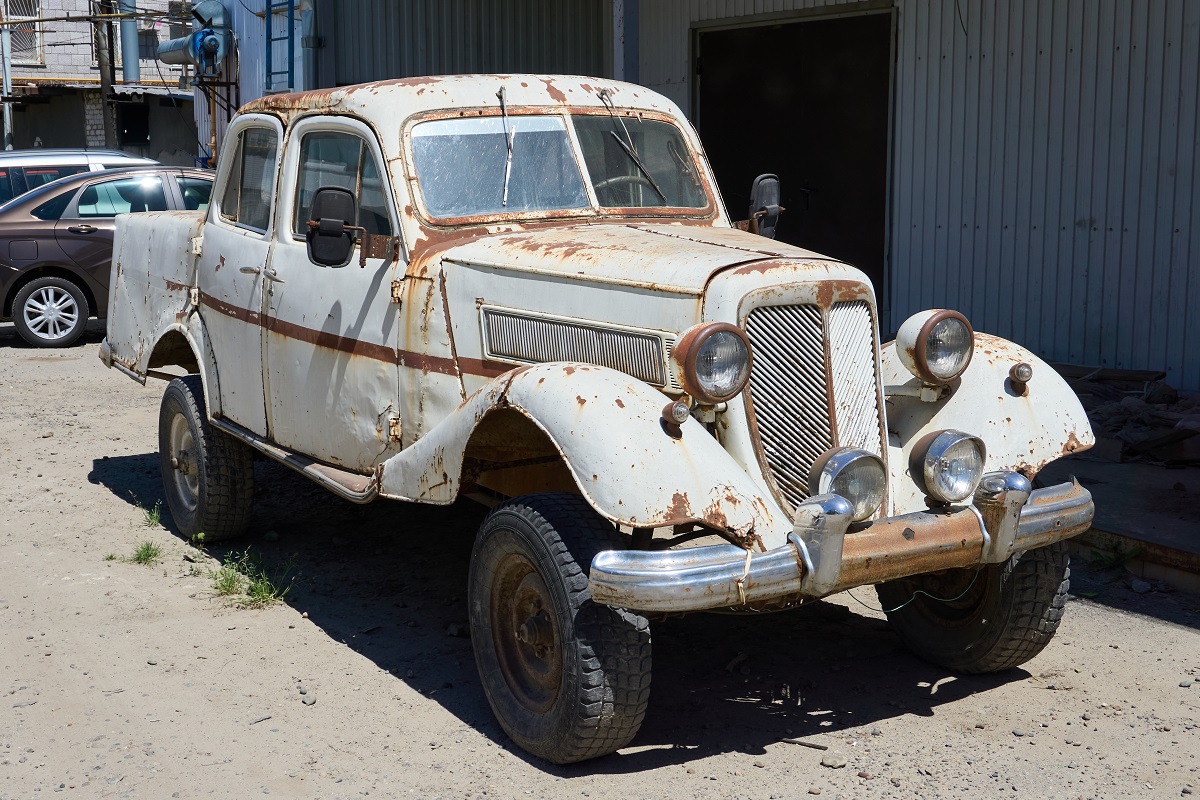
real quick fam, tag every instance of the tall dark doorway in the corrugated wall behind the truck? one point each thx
(809, 103)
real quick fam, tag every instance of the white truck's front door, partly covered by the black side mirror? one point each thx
(331, 352)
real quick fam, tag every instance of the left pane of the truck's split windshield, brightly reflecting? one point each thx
(461, 166)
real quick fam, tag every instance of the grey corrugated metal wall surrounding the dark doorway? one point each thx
(1045, 167)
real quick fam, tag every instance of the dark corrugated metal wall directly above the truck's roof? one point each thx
(385, 39)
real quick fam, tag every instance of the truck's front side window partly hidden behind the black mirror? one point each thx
(344, 160)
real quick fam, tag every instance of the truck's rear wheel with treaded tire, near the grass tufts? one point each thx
(208, 476)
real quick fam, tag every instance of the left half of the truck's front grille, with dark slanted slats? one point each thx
(788, 389)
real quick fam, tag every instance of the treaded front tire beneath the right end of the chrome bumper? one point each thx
(1005, 618)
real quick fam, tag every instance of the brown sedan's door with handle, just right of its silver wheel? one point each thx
(86, 230)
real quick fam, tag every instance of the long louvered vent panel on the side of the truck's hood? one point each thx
(537, 340)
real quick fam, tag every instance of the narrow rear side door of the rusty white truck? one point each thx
(233, 266)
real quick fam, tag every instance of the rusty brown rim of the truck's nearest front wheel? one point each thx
(525, 630)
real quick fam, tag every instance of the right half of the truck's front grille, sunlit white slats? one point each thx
(856, 400)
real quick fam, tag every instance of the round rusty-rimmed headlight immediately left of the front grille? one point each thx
(715, 362)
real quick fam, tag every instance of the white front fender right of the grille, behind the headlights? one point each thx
(1024, 431)
